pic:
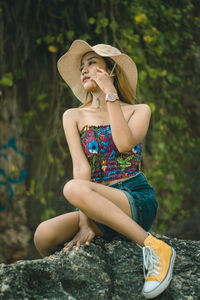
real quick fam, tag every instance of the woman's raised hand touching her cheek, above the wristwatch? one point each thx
(104, 81)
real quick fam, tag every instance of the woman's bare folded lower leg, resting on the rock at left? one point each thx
(51, 235)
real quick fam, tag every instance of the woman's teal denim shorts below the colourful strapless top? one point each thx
(143, 203)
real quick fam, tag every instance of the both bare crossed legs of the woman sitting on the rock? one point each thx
(101, 203)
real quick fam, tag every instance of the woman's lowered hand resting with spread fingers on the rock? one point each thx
(84, 235)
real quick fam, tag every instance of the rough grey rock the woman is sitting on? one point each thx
(105, 270)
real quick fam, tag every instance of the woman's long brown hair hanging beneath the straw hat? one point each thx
(124, 90)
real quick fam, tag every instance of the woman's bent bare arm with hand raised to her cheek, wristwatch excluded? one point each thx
(125, 134)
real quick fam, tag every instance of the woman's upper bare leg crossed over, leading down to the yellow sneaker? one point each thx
(105, 205)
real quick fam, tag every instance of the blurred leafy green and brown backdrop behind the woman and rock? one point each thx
(162, 37)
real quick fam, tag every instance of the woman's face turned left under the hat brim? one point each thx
(88, 68)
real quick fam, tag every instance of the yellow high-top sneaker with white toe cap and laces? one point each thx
(158, 262)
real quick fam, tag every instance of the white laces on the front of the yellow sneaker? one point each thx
(151, 262)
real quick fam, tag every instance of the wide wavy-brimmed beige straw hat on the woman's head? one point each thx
(69, 65)
